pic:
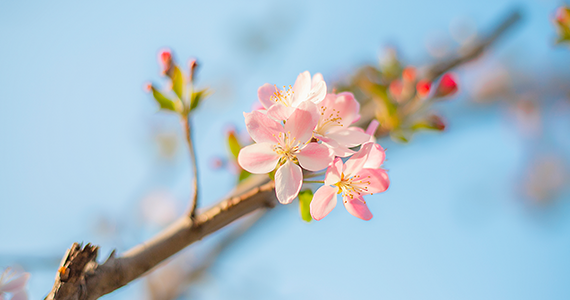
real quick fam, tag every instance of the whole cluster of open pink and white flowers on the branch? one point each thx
(304, 128)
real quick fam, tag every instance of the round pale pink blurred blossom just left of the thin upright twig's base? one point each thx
(159, 207)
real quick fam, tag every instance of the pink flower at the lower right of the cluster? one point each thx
(358, 177)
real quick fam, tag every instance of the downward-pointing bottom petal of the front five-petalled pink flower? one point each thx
(288, 181)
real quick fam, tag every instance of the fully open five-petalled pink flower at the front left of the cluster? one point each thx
(284, 146)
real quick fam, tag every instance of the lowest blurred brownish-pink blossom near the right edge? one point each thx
(545, 178)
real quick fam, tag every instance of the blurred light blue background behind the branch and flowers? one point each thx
(478, 211)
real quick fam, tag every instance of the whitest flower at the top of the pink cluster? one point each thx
(280, 104)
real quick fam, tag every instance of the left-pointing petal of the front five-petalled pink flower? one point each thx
(258, 158)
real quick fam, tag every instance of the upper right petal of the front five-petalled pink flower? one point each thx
(302, 122)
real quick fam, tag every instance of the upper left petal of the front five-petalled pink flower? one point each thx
(261, 128)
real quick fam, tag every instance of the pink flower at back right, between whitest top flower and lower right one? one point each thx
(337, 113)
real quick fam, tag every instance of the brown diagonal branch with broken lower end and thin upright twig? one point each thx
(89, 280)
